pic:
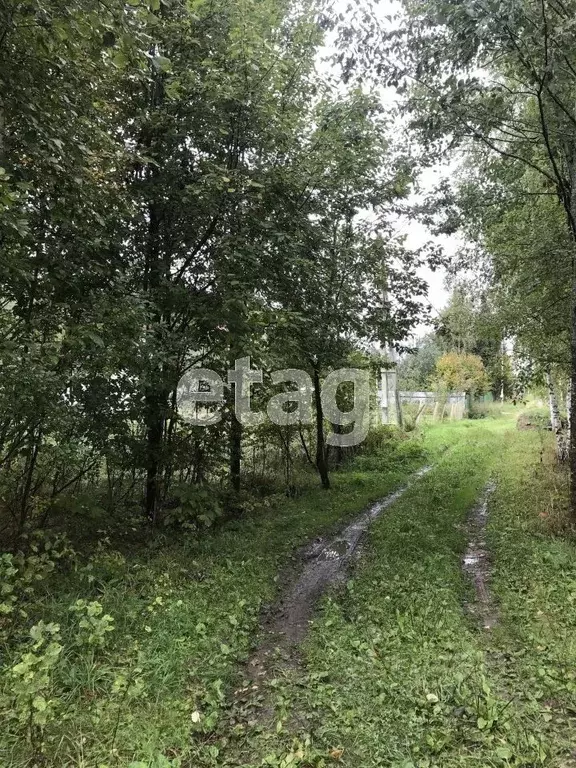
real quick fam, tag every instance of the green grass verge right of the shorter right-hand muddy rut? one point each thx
(535, 581)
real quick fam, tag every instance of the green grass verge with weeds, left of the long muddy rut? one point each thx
(185, 610)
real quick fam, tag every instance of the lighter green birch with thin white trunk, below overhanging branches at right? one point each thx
(518, 230)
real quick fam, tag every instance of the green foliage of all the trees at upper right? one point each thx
(497, 80)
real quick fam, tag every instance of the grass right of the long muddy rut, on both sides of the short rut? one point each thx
(397, 674)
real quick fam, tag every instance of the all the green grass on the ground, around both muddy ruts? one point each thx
(394, 672)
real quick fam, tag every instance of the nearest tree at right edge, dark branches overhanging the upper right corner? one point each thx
(502, 75)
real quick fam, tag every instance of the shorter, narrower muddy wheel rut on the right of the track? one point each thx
(476, 563)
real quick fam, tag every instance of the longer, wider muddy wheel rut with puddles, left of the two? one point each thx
(325, 562)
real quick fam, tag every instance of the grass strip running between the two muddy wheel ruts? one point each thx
(389, 660)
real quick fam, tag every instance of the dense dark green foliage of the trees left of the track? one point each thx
(195, 177)
